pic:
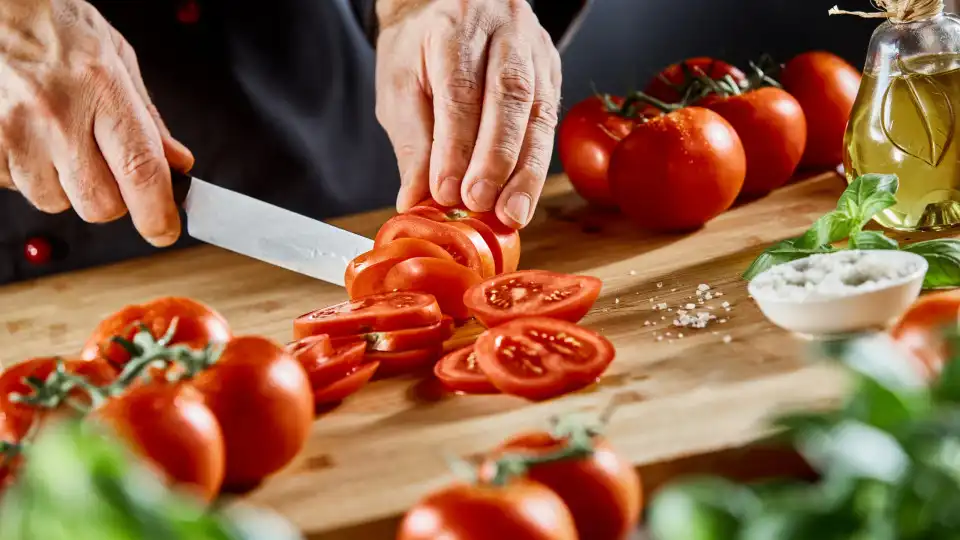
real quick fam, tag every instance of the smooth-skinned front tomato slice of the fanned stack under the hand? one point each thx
(445, 280)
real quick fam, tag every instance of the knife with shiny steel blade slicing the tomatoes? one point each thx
(265, 232)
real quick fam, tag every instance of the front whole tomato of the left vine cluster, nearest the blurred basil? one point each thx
(170, 426)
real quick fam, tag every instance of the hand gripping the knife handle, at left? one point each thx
(77, 127)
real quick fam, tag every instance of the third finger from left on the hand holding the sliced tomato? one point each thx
(508, 97)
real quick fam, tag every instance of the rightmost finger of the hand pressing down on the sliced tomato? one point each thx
(518, 200)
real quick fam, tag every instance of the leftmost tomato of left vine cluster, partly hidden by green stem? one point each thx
(20, 416)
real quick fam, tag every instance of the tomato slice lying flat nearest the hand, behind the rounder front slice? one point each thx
(532, 293)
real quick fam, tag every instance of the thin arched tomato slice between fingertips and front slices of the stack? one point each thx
(460, 240)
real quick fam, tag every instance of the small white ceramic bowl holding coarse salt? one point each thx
(857, 312)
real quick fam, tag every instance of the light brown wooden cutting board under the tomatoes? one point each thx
(685, 402)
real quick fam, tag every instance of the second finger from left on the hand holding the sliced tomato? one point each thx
(457, 77)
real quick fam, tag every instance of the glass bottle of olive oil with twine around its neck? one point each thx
(905, 118)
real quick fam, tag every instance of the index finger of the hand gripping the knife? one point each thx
(131, 145)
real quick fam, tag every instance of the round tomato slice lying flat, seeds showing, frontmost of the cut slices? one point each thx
(540, 358)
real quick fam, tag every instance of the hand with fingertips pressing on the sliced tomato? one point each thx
(468, 92)
